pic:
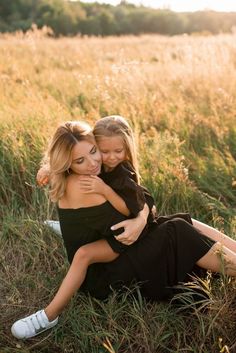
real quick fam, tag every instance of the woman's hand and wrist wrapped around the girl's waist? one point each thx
(132, 227)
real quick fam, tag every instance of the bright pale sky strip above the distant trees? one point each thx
(180, 5)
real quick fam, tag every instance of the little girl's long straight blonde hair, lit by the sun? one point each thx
(115, 125)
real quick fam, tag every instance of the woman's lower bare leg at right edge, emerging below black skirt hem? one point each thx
(219, 259)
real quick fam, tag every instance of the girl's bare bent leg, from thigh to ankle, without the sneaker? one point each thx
(99, 251)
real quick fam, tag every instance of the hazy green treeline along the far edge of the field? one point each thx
(74, 17)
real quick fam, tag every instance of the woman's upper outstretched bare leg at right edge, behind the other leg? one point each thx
(215, 234)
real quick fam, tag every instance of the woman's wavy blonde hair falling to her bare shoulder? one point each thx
(59, 153)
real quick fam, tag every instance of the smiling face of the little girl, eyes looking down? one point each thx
(112, 150)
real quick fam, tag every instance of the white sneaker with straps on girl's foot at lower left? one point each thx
(32, 325)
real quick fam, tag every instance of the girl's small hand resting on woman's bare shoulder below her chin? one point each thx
(92, 184)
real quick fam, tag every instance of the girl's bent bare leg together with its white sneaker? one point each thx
(30, 326)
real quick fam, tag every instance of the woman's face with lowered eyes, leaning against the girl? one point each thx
(86, 159)
